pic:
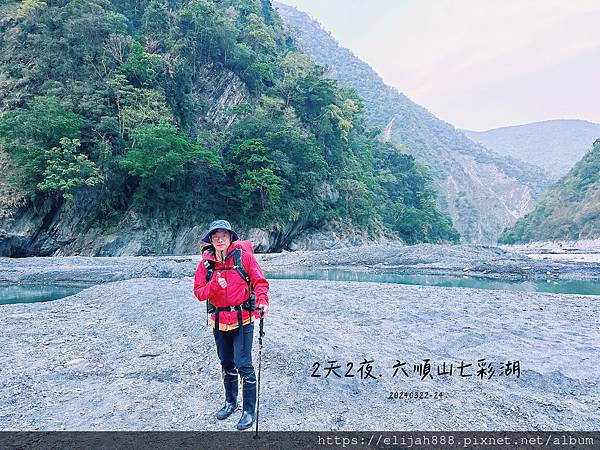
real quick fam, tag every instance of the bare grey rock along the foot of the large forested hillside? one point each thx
(67, 229)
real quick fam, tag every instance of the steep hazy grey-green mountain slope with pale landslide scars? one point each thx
(482, 191)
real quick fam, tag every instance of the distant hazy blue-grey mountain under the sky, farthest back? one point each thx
(553, 145)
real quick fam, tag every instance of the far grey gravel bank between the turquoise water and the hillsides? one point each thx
(427, 259)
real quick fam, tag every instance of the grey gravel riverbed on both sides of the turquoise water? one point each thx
(136, 354)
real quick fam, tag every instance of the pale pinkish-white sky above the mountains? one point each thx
(478, 64)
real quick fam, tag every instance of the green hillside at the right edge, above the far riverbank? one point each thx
(569, 211)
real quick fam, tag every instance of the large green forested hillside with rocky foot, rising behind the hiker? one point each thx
(126, 126)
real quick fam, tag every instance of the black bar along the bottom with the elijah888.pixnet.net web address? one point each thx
(105, 440)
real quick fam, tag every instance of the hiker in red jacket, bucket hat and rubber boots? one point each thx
(231, 280)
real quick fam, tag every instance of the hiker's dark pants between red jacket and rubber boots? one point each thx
(233, 354)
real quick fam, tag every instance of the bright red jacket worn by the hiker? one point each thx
(237, 290)
